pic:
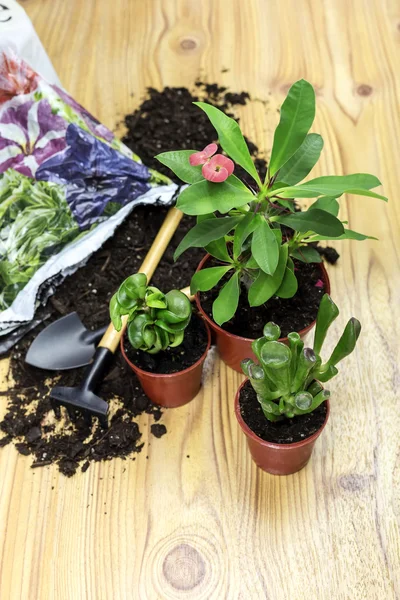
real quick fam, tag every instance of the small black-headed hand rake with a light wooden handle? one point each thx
(83, 398)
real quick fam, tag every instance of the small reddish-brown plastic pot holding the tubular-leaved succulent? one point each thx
(278, 459)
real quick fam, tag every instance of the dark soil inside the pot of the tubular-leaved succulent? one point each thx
(282, 432)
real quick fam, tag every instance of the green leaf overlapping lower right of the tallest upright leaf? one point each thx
(304, 159)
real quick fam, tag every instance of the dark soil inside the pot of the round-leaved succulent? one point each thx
(176, 359)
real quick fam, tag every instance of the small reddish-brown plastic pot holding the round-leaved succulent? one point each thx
(175, 389)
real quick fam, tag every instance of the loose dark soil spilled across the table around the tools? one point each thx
(29, 423)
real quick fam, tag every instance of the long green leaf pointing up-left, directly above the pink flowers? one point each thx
(231, 138)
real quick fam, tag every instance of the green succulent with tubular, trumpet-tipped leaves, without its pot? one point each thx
(288, 379)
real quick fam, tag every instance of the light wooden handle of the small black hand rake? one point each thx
(112, 337)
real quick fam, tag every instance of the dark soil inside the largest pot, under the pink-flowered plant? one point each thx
(291, 314)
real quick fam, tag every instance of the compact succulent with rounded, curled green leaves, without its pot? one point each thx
(156, 321)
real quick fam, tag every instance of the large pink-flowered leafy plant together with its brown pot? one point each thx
(261, 263)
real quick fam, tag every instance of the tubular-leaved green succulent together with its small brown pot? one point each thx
(283, 407)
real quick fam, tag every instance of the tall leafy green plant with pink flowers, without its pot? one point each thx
(240, 224)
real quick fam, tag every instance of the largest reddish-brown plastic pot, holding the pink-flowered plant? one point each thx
(234, 348)
